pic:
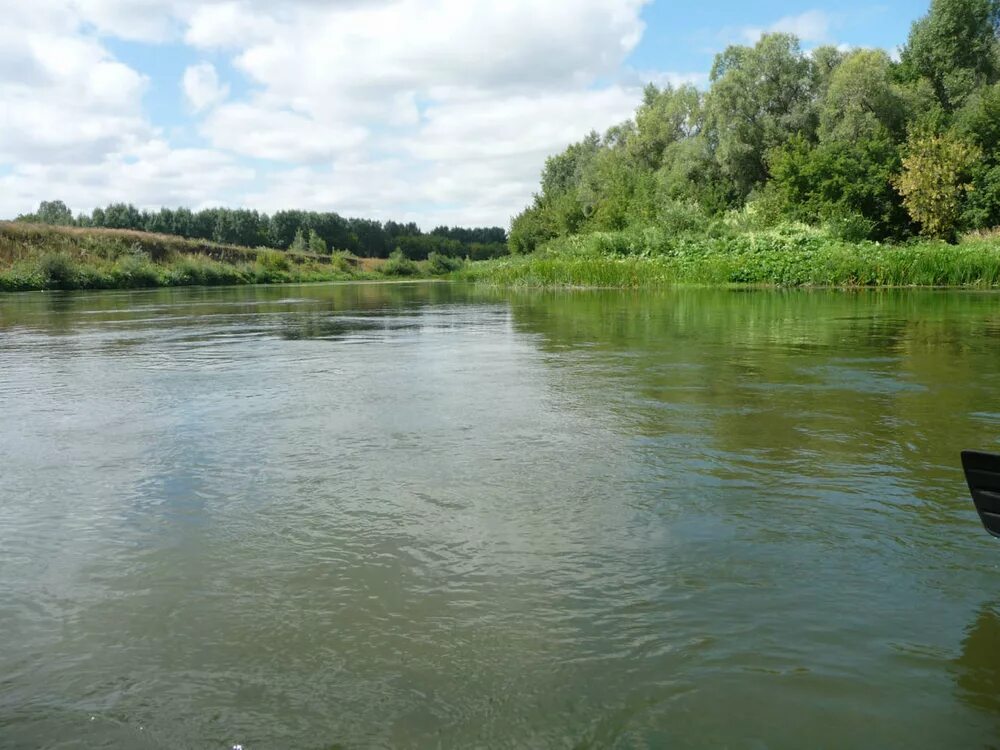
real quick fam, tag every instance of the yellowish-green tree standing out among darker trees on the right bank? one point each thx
(935, 178)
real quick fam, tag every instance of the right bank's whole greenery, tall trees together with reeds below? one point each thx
(794, 168)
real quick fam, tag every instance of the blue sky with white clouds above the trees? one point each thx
(438, 111)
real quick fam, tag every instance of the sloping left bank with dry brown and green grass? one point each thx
(36, 257)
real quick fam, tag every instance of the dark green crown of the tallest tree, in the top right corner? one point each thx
(955, 46)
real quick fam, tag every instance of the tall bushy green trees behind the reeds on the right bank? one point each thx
(854, 140)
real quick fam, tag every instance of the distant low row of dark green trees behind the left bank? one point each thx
(312, 231)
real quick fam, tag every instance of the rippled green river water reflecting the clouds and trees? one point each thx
(422, 515)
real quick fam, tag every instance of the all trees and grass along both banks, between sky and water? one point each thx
(794, 168)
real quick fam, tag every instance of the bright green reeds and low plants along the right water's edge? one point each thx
(792, 255)
